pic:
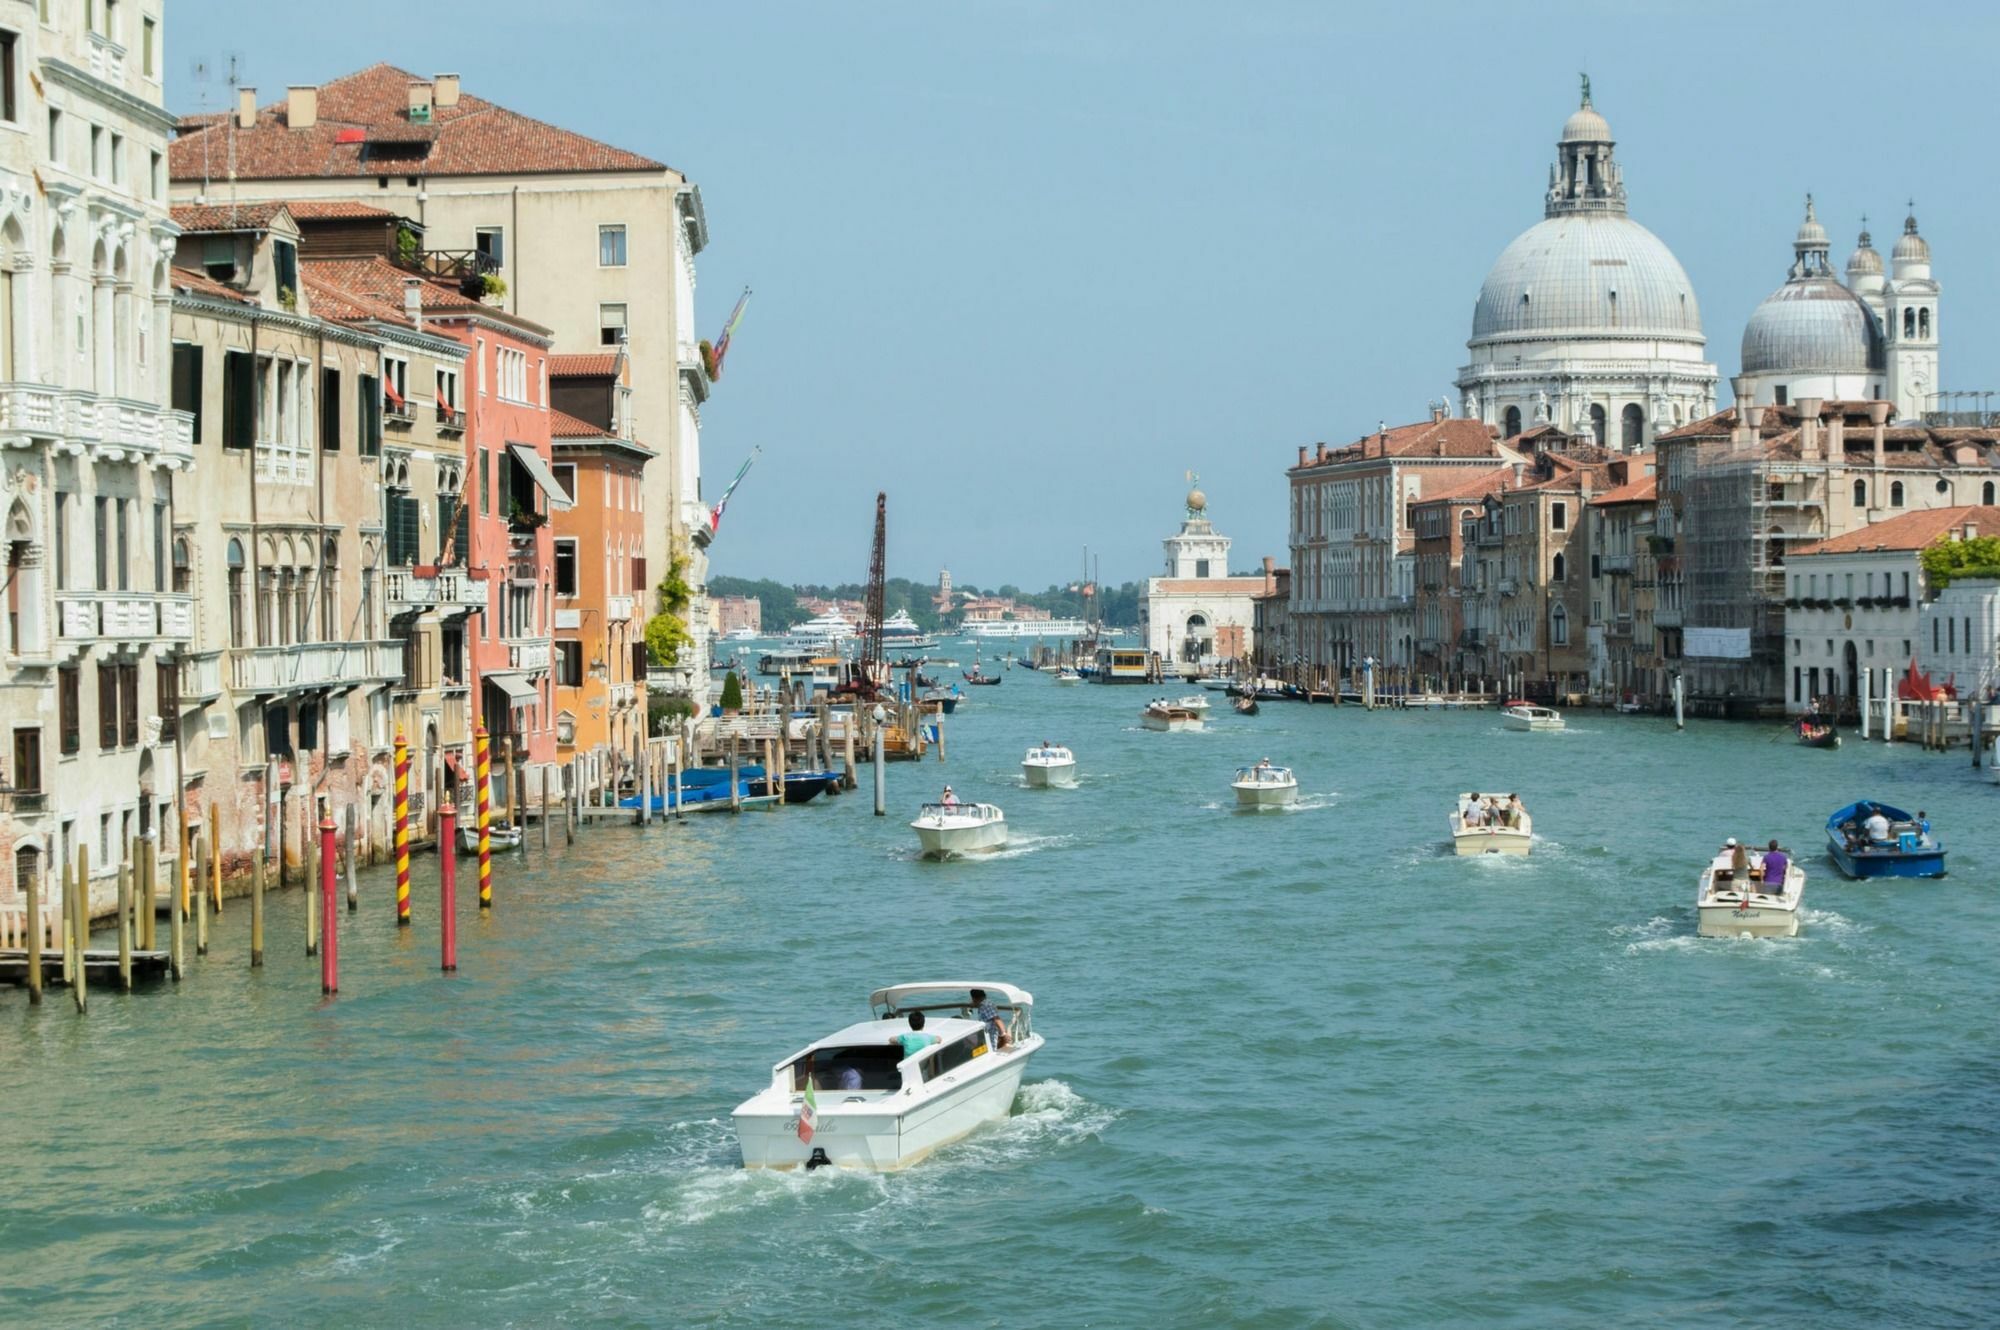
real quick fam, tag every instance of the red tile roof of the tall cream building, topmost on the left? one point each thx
(471, 139)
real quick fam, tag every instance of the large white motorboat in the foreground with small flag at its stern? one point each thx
(869, 1097)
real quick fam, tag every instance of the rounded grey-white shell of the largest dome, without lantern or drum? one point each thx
(1587, 275)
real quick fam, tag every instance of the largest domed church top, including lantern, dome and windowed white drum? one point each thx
(1587, 321)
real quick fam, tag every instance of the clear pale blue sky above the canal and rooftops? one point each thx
(1027, 263)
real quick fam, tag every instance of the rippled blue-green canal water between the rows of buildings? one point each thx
(1303, 1069)
